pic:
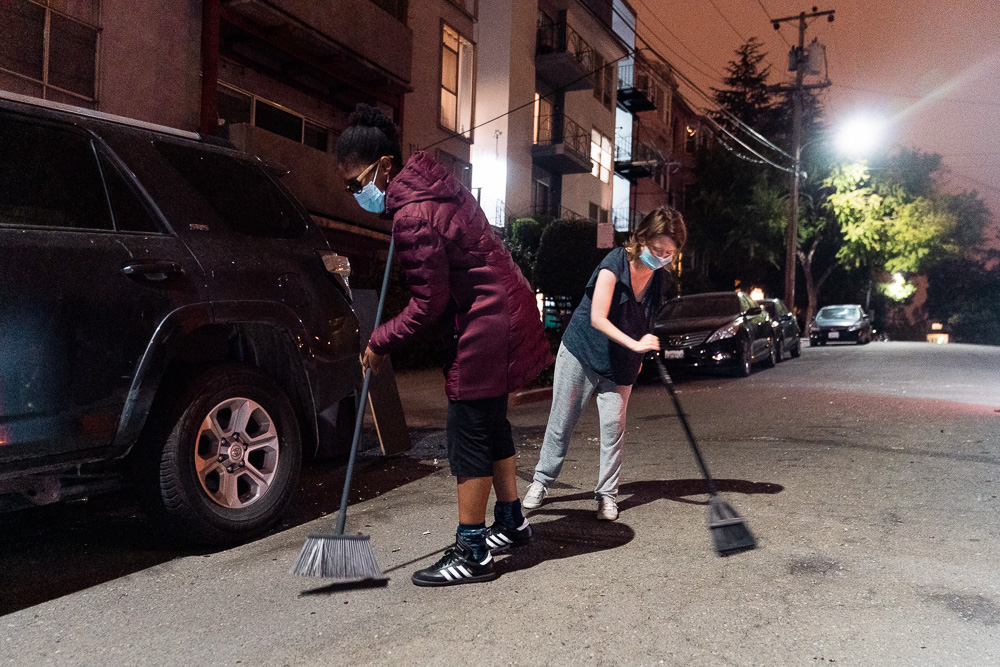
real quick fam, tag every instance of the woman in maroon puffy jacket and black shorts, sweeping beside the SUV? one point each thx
(464, 283)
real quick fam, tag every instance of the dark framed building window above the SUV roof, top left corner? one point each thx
(50, 48)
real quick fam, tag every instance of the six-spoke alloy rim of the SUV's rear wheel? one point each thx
(236, 453)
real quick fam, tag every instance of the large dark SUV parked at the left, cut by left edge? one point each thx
(168, 315)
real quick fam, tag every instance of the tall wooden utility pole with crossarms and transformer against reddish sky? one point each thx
(796, 62)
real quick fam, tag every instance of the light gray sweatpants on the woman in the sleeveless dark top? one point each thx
(572, 388)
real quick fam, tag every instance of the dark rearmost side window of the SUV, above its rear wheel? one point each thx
(238, 191)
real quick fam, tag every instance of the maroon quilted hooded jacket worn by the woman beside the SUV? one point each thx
(462, 281)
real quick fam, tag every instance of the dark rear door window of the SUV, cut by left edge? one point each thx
(49, 178)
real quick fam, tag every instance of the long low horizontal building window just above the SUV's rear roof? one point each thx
(236, 106)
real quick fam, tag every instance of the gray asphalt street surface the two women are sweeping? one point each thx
(869, 475)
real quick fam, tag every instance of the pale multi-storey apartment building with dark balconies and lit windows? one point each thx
(546, 97)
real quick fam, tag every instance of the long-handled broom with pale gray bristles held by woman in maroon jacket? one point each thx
(339, 556)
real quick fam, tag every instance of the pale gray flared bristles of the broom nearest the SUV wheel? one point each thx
(344, 557)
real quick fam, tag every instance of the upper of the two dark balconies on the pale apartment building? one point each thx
(563, 58)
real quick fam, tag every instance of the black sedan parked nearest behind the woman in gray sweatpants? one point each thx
(725, 330)
